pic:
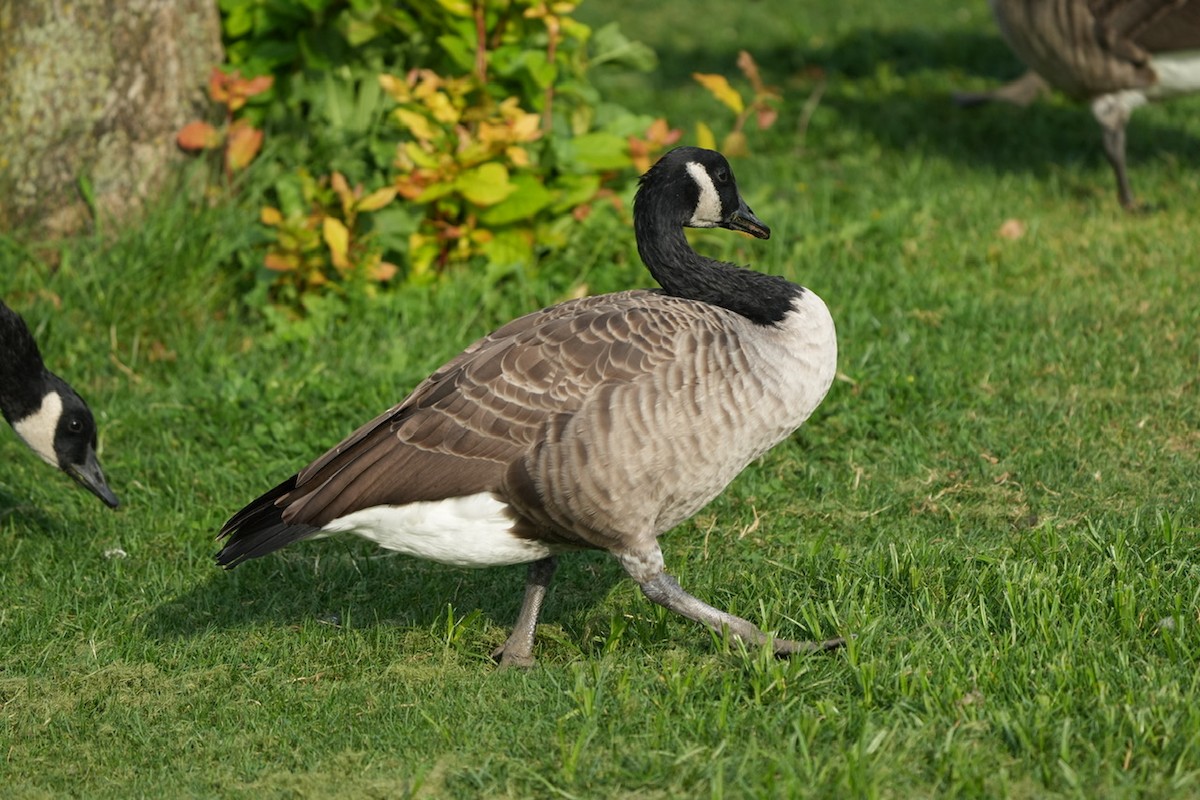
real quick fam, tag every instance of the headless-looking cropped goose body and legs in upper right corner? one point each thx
(1117, 55)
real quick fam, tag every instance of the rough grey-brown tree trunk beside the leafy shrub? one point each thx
(93, 92)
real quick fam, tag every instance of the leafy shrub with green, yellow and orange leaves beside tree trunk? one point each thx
(445, 134)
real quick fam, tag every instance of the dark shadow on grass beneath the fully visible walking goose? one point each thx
(355, 585)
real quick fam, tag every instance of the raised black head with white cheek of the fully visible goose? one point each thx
(695, 189)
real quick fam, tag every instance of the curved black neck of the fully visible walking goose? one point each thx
(683, 273)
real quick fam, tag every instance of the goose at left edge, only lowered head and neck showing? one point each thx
(45, 412)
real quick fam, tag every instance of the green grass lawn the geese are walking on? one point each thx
(997, 500)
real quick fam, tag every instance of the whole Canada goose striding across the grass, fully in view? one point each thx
(601, 423)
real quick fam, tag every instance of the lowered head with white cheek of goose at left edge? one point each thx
(63, 432)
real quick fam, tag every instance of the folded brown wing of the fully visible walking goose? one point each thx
(463, 428)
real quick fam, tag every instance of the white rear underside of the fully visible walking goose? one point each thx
(473, 531)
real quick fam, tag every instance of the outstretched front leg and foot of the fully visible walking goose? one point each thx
(661, 588)
